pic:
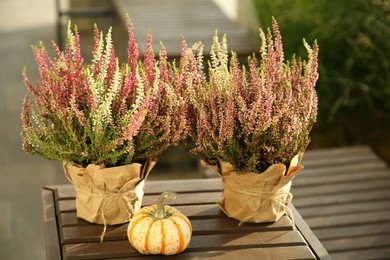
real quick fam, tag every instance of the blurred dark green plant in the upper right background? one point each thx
(354, 64)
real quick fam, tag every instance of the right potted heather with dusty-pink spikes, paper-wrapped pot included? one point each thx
(252, 124)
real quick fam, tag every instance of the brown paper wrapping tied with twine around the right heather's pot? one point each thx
(254, 197)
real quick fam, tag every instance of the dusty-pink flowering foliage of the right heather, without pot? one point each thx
(256, 116)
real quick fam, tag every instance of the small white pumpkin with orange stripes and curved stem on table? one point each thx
(159, 229)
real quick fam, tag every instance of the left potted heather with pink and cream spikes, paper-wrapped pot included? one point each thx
(107, 122)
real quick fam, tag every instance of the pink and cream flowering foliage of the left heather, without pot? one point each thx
(100, 112)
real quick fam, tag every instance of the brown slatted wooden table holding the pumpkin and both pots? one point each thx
(214, 235)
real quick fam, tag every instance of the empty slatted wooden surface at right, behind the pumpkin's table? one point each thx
(343, 195)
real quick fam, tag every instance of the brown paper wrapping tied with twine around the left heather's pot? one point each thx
(111, 195)
